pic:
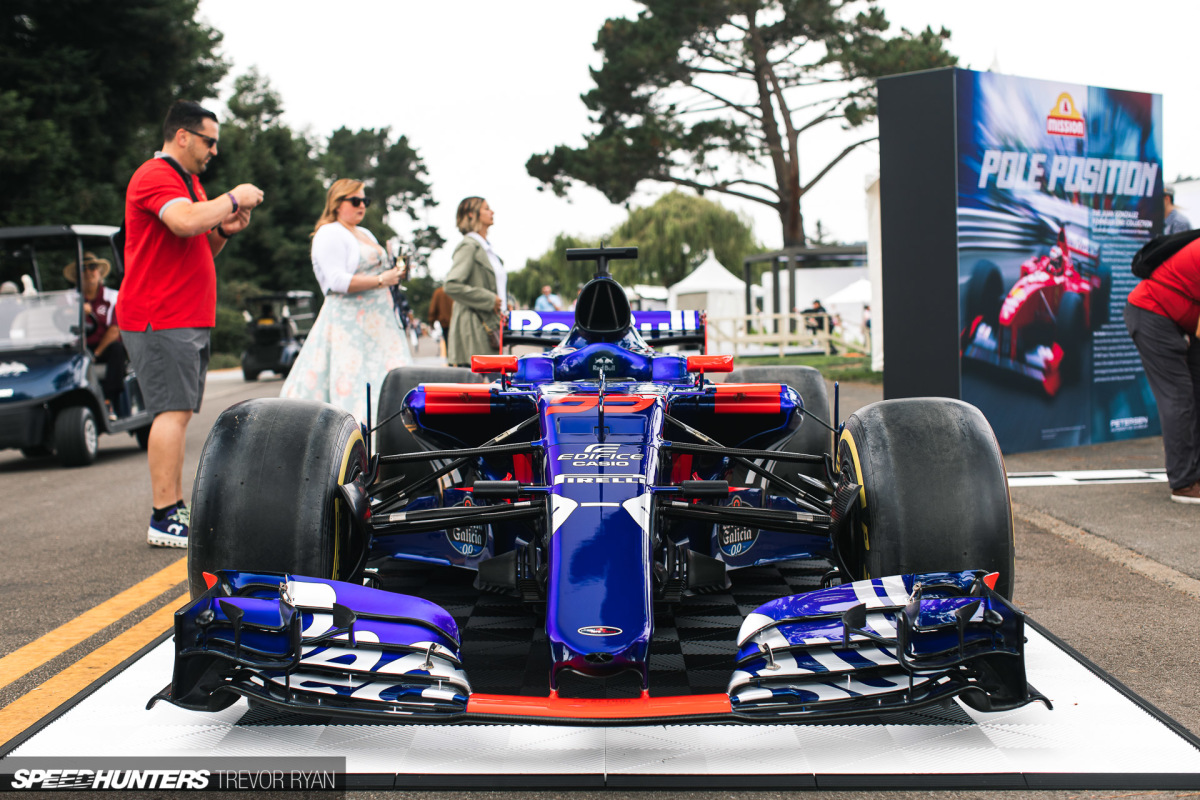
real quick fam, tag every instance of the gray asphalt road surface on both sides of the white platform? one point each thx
(1114, 570)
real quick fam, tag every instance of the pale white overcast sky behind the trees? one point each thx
(479, 87)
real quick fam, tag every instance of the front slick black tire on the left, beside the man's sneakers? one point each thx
(266, 497)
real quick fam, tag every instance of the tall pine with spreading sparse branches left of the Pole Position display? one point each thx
(694, 93)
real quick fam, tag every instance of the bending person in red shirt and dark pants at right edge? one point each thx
(1162, 316)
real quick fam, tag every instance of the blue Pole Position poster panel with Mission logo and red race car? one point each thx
(1059, 185)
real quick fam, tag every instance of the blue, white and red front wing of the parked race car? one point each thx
(865, 648)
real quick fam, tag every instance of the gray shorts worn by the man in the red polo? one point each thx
(171, 365)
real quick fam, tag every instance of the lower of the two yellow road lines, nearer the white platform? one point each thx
(32, 707)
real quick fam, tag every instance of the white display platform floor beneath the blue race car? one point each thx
(1097, 736)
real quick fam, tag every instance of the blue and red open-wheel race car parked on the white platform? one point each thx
(601, 484)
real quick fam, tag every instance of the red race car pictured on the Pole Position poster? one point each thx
(1041, 327)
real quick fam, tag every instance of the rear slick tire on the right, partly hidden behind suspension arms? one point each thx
(812, 438)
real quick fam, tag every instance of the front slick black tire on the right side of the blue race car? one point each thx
(934, 496)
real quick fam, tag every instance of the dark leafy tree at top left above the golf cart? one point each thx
(85, 87)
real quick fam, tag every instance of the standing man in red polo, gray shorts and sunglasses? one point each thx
(167, 304)
